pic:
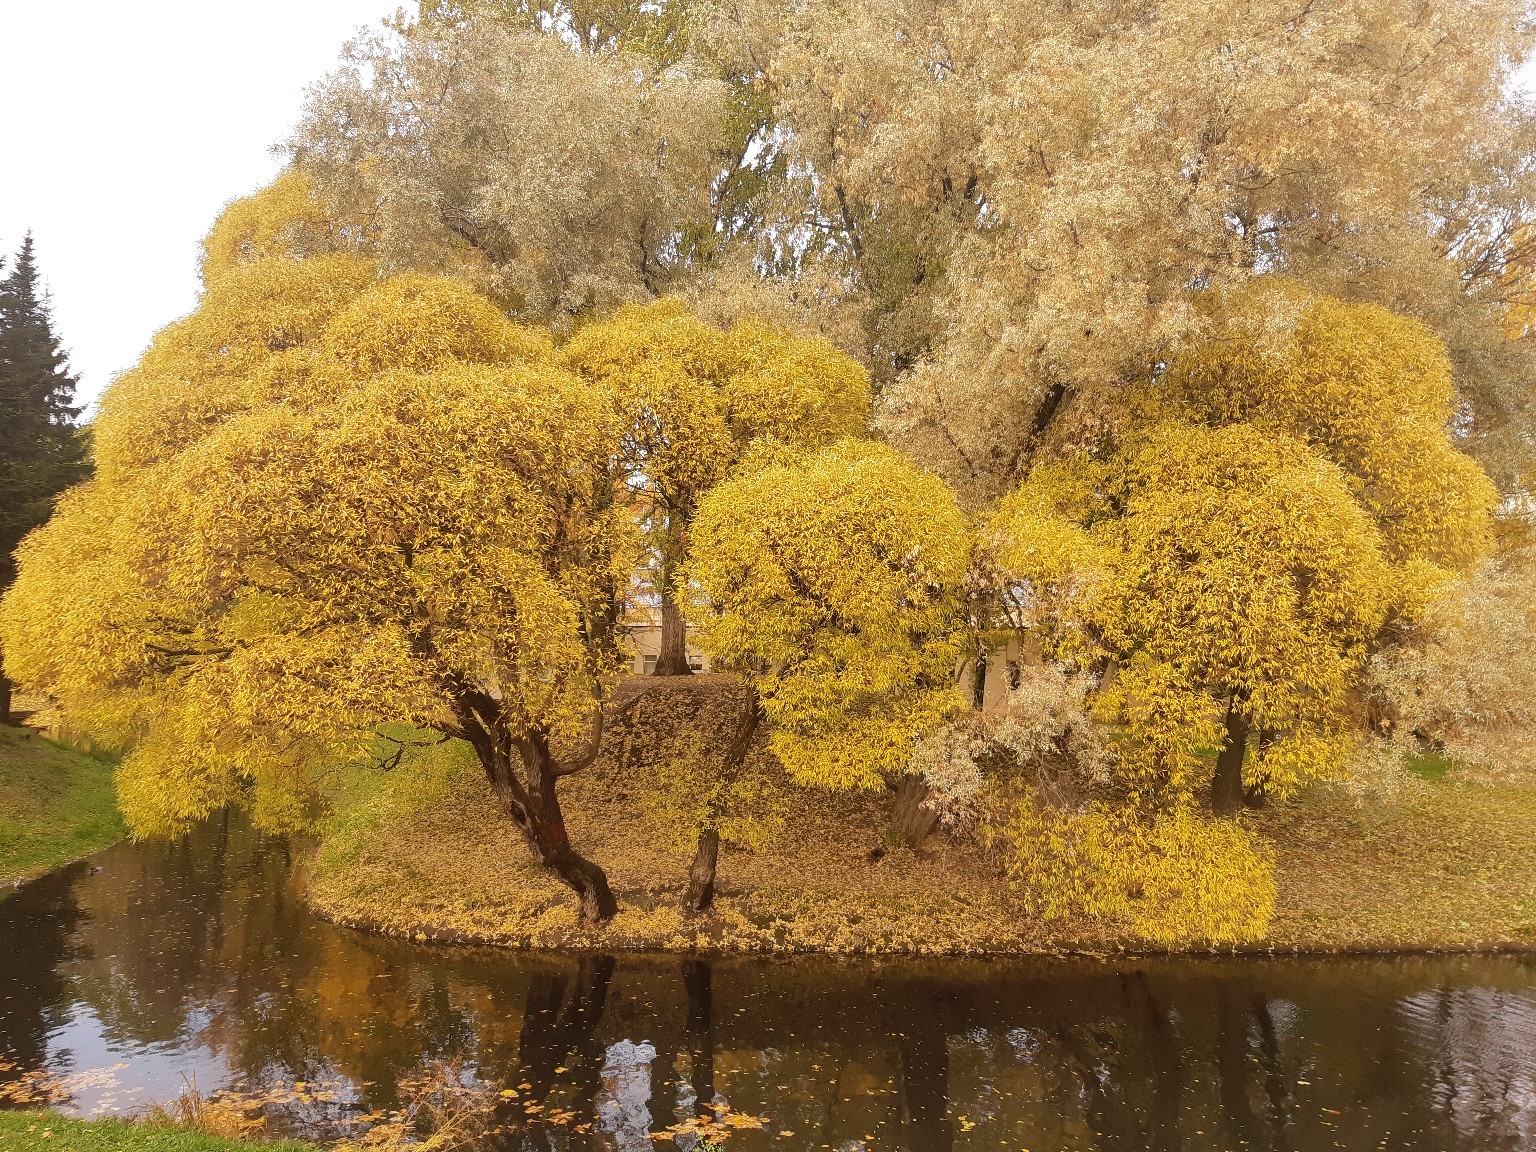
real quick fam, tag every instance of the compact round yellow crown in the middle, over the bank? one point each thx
(836, 584)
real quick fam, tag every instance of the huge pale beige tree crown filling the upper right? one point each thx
(1031, 196)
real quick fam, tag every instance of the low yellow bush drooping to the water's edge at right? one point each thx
(1171, 878)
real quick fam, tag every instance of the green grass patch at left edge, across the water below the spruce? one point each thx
(56, 806)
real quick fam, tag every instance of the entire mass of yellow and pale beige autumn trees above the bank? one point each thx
(1093, 426)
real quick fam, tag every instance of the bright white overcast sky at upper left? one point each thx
(128, 127)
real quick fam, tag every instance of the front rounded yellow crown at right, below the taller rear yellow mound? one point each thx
(1210, 566)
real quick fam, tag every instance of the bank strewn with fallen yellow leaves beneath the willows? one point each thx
(1443, 864)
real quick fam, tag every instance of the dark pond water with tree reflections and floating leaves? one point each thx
(159, 962)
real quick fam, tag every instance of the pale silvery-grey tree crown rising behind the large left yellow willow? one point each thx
(555, 179)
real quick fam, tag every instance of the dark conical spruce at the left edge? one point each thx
(42, 449)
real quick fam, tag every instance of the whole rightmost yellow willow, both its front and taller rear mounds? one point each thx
(1299, 480)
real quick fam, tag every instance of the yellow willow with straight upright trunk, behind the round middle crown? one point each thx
(690, 402)
